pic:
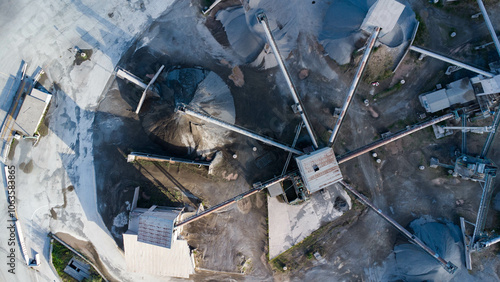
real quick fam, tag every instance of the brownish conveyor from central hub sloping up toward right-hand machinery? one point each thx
(381, 142)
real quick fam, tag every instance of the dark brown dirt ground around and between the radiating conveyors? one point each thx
(228, 240)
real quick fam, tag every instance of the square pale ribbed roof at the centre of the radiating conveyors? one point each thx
(319, 169)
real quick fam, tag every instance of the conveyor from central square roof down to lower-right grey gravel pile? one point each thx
(450, 267)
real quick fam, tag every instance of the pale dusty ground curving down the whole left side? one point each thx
(43, 34)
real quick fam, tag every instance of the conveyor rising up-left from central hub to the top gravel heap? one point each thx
(261, 17)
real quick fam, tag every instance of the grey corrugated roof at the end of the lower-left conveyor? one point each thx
(156, 227)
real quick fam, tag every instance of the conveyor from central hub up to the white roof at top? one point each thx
(354, 84)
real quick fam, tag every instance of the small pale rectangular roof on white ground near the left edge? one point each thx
(31, 112)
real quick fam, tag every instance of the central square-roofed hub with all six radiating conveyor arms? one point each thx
(322, 159)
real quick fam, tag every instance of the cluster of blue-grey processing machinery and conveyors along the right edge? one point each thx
(476, 168)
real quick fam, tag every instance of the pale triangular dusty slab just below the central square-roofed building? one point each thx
(290, 224)
